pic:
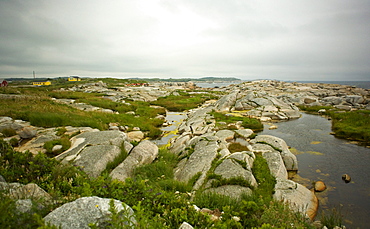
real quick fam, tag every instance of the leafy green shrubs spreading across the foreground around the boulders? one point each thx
(157, 199)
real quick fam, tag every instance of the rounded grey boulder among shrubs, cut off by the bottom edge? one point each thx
(86, 210)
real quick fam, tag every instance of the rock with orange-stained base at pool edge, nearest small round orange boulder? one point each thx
(299, 197)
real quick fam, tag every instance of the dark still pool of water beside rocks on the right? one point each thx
(323, 157)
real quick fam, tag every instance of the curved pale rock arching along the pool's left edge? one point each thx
(290, 160)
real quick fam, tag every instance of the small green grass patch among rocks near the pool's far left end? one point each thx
(249, 123)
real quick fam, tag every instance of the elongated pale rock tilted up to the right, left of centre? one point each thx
(144, 153)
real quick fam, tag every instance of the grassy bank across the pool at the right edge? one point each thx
(353, 125)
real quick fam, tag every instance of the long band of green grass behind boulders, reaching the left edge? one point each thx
(44, 112)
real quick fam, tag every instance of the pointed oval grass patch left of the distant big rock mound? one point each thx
(183, 101)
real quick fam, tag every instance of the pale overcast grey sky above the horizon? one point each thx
(274, 39)
